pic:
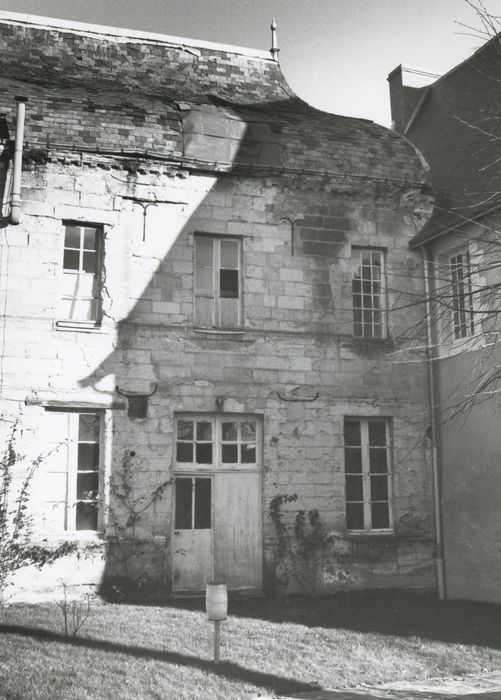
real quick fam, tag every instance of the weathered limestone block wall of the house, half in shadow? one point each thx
(296, 343)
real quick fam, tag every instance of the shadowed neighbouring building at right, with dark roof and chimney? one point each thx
(454, 122)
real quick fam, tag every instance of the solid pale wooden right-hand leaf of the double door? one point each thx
(237, 530)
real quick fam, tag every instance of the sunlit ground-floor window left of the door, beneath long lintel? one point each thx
(69, 480)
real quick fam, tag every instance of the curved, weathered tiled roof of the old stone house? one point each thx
(100, 88)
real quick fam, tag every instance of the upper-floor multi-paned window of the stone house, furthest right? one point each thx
(368, 293)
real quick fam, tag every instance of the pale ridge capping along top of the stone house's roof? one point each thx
(122, 34)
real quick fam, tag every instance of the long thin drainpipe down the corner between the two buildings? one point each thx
(439, 553)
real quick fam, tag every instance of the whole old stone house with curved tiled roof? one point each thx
(192, 230)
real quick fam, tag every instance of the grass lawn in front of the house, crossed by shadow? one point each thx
(284, 646)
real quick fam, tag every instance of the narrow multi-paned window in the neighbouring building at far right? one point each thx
(462, 295)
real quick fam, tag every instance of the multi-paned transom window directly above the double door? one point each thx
(220, 440)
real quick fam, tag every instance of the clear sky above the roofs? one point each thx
(335, 54)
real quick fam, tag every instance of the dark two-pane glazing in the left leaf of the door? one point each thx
(193, 503)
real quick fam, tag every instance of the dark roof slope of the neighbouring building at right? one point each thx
(458, 130)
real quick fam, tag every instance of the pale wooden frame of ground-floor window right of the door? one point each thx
(366, 474)
